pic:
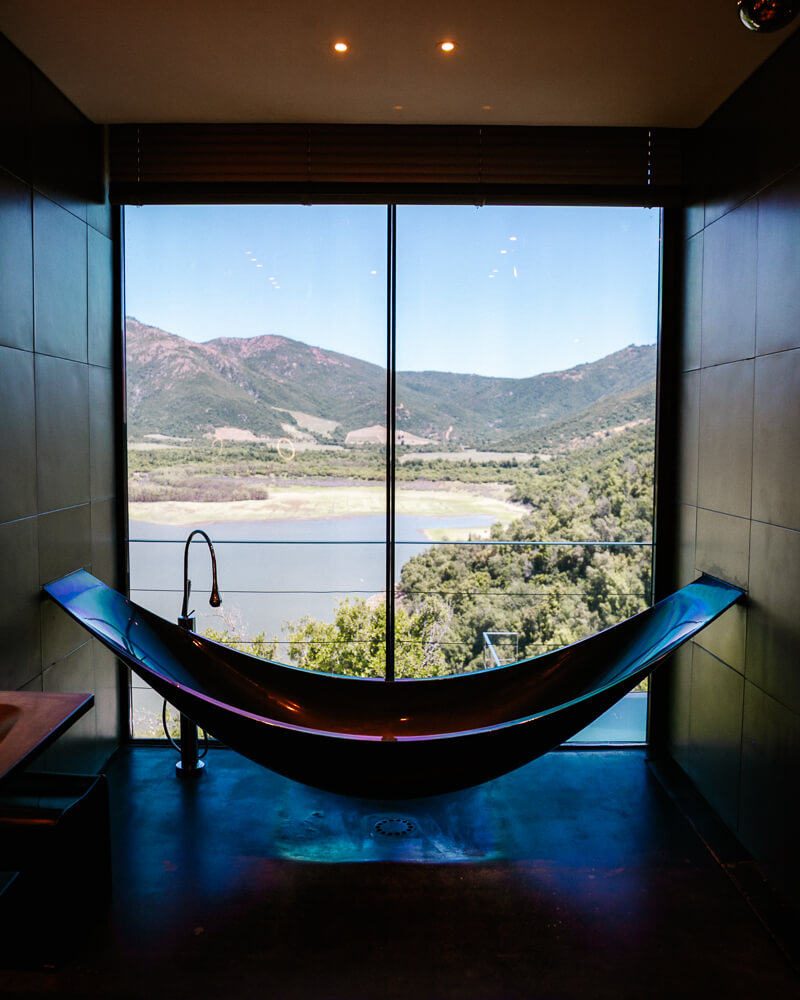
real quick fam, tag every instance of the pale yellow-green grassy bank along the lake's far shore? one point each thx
(301, 502)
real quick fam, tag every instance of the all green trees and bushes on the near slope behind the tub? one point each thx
(548, 595)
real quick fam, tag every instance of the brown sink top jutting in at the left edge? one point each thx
(31, 720)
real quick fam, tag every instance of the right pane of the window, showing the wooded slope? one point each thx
(525, 412)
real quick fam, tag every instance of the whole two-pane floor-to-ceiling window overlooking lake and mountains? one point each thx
(496, 483)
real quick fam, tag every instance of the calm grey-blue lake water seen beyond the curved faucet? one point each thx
(265, 578)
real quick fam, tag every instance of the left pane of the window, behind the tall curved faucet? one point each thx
(256, 351)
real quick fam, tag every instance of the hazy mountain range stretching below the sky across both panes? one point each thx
(273, 386)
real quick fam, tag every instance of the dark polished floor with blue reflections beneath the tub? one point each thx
(576, 876)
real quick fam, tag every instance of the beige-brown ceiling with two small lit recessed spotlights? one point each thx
(581, 62)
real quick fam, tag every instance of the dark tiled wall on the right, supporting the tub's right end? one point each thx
(734, 693)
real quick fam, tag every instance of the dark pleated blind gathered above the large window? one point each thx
(191, 164)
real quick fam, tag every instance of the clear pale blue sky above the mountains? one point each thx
(497, 291)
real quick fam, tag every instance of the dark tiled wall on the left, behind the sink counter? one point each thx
(57, 450)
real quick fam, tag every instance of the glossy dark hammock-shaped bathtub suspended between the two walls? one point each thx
(397, 739)
